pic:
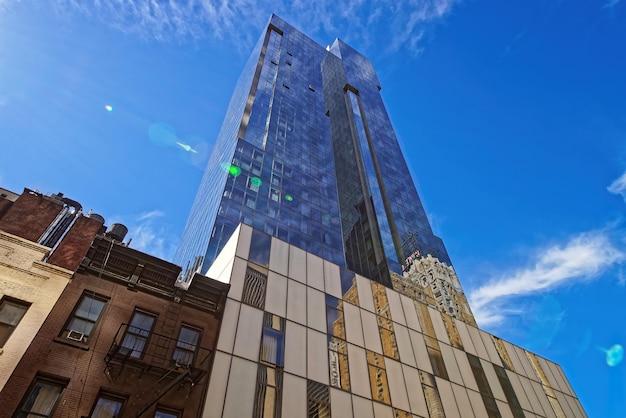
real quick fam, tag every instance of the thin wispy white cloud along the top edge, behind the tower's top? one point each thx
(386, 25)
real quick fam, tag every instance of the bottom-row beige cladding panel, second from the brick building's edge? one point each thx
(241, 386)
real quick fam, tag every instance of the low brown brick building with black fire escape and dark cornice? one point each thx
(122, 339)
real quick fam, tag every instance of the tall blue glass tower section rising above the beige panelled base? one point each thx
(307, 153)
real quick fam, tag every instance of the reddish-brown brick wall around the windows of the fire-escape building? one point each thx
(85, 367)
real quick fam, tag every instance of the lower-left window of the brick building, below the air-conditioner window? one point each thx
(42, 397)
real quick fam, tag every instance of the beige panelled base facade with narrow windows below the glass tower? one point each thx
(393, 356)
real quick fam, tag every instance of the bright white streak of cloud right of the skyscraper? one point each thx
(583, 257)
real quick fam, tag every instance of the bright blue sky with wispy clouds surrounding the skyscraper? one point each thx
(512, 116)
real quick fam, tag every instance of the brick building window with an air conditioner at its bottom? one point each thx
(84, 318)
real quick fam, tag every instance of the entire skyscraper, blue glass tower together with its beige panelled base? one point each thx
(341, 300)
